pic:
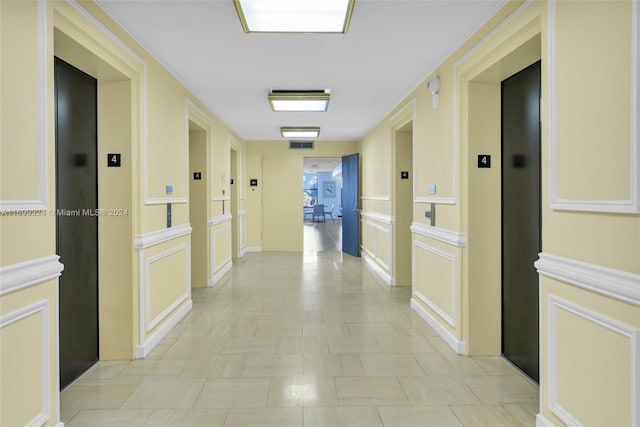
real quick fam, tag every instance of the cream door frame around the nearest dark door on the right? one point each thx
(478, 109)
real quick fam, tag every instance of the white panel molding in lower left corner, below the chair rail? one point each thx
(40, 308)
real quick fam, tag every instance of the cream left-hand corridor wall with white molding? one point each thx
(145, 267)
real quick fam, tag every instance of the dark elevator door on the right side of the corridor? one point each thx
(521, 219)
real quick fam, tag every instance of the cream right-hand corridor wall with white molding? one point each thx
(590, 226)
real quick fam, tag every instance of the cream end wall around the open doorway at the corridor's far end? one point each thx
(278, 151)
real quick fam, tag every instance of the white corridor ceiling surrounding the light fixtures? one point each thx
(391, 47)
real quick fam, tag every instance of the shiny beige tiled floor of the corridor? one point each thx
(302, 339)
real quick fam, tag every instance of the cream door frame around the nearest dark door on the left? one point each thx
(99, 54)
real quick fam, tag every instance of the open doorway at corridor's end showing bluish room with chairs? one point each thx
(322, 204)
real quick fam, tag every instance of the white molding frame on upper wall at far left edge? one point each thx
(42, 119)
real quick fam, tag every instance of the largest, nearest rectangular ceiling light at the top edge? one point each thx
(294, 16)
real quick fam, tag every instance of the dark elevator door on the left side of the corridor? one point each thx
(76, 222)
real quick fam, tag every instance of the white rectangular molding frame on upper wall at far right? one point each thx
(631, 205)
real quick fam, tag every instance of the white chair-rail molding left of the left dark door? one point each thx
(22, 275)
